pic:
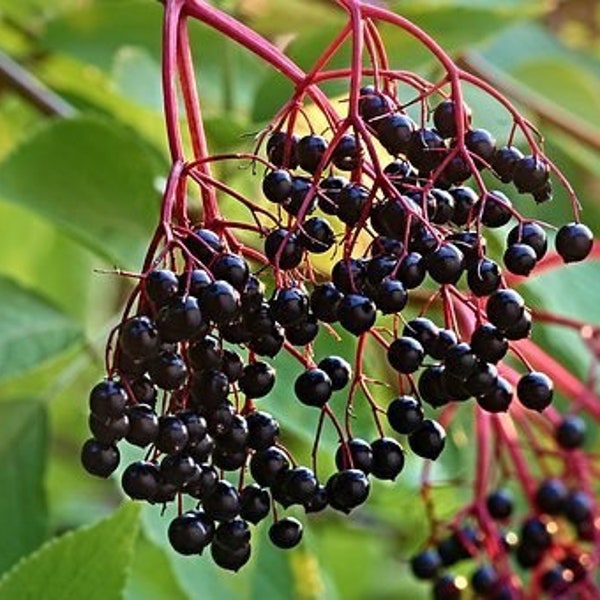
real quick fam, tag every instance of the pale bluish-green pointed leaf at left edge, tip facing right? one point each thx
(31, 329)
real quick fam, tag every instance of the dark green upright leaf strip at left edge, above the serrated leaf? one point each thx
(23, 451)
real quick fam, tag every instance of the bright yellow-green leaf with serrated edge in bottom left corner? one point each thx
(90, 563)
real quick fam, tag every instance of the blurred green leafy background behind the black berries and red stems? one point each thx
(81, 168)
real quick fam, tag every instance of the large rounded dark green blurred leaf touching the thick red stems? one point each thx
(92, 178)
